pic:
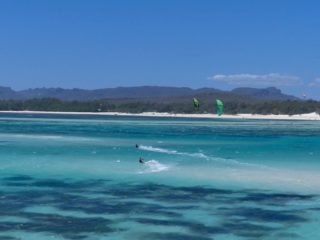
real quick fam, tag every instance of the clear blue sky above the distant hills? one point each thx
(222, 44)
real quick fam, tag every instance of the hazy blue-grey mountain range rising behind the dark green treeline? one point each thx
(144, 92)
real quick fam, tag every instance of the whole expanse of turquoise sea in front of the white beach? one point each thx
(78, 177)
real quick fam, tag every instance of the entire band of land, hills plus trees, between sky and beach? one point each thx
(155, 99)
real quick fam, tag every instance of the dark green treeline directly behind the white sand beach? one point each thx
(137, 106)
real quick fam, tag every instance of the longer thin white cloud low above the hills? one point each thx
(271, 79)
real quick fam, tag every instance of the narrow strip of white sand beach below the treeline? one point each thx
(306, 116)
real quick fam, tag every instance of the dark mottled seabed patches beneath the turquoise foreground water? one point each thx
(147, 204)
